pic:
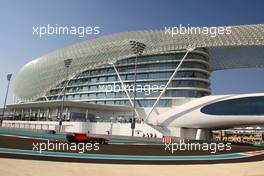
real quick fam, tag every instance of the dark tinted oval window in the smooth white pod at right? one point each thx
(239, 106)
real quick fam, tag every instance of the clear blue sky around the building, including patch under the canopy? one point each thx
(18, 45)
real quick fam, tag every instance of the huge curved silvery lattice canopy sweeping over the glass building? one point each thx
(244, 47)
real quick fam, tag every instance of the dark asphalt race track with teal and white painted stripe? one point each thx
(16, 147)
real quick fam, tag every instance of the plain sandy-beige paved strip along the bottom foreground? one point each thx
(16, 167)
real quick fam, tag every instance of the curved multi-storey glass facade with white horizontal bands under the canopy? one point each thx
(102, 86)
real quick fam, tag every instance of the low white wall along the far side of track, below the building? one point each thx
(123, 129)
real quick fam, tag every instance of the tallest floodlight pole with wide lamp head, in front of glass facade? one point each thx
(137, 48)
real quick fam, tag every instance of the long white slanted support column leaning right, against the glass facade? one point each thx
(166, 86)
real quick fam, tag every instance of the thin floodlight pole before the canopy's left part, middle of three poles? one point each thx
(67, 63)
